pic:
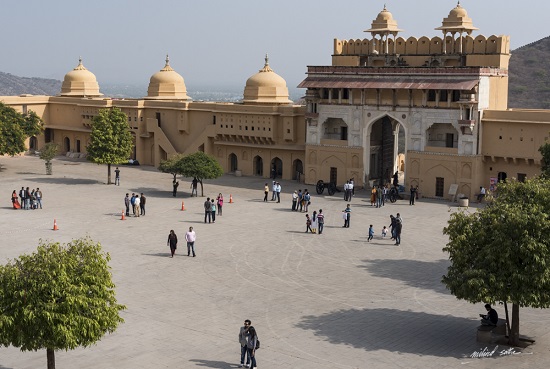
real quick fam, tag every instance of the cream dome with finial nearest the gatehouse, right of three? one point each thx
(266, 87)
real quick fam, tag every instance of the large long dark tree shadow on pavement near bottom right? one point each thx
(396, 331)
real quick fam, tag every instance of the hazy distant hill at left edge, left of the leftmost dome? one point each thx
(13, 85)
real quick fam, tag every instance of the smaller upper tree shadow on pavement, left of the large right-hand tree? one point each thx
(414, 273)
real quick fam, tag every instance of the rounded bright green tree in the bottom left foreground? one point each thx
(58, 298)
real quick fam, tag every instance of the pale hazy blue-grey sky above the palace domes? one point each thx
(222, 42)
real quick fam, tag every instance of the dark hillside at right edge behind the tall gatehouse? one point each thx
(529, 76)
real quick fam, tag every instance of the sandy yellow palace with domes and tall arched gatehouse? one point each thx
(433, 109)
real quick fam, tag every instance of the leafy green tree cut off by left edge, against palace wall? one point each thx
(16, 128)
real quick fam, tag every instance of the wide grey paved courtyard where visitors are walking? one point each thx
(317, 301)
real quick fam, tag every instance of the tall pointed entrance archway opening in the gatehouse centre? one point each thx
(387, 151)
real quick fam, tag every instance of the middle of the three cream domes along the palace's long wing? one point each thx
(167, 84)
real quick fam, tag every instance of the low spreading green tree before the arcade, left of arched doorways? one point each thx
(198, 165)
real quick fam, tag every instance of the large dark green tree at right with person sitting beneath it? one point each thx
(502, 252)
